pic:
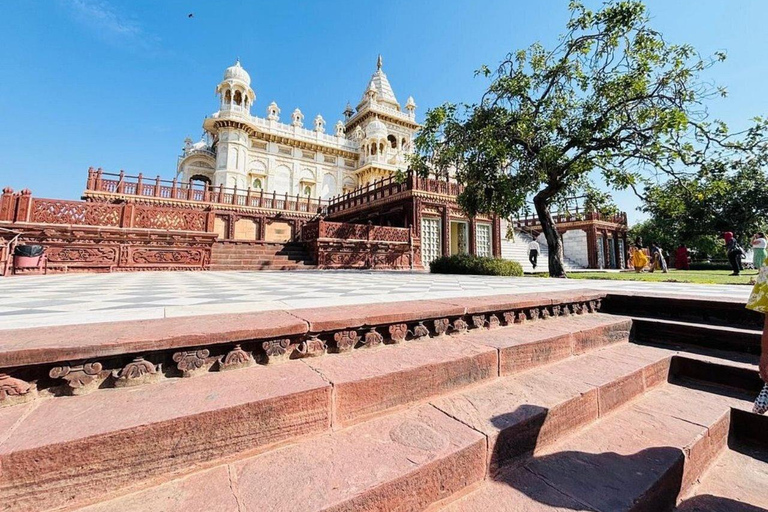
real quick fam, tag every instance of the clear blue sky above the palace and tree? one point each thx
(120, 84)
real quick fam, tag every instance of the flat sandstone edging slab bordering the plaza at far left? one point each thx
(71, 342)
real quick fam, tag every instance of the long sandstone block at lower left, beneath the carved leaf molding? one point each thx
(68, 449)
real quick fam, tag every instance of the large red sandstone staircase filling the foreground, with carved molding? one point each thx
(508, 403)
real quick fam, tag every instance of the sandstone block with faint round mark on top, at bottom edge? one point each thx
(399, 462)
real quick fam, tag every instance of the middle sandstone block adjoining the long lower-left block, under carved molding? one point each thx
(367, 382)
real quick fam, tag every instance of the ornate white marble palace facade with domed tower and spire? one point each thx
(264, 153)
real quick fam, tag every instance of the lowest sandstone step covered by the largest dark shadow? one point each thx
(639, 458)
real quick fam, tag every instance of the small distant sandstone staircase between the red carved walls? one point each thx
(260, 256)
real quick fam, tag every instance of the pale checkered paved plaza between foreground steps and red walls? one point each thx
(33, 301)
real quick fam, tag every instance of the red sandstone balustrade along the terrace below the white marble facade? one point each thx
(121, 185)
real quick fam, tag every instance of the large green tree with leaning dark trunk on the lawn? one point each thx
(612, 97)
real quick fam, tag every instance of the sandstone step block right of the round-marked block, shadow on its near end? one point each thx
(525, 412)
